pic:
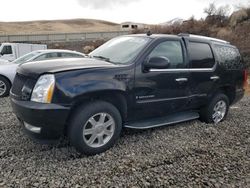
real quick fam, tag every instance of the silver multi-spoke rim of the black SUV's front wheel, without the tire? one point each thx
(98, 130)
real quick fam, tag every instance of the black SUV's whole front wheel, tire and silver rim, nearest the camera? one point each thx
(89, 129)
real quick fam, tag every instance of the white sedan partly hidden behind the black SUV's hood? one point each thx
(8, 70)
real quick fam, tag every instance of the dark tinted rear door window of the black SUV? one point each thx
(200, 55)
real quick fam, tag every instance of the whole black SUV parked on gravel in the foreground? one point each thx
(134, 81)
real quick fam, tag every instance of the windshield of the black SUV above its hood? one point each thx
(121, 49)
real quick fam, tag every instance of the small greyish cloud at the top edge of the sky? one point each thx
(104, 4)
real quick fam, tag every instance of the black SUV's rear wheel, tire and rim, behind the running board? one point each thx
(216, 111)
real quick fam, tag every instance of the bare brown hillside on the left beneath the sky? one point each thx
(57, 26)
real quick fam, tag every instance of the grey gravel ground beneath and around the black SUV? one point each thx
(191, 154)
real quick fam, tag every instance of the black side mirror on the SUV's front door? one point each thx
(160, 62)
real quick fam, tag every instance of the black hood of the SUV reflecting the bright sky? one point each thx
(52, 66)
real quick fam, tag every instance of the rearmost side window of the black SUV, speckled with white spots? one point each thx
(229, 57)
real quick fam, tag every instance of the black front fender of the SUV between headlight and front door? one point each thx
(74, 85)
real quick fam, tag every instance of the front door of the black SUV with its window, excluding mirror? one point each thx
(159, 92)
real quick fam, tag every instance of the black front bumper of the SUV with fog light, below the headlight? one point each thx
(50, 119)
